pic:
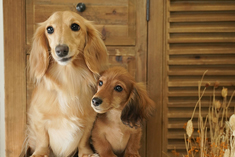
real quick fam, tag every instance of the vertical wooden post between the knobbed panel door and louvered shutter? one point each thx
(155, 76)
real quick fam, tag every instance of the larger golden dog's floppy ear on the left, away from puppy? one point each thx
(39, 55)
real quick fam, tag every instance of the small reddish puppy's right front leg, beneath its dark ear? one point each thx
(133, 145)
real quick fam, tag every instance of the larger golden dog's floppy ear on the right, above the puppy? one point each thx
(95, 51)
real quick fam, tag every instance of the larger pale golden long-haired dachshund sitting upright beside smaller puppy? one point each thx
(66, 57)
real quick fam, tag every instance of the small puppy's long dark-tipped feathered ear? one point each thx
(138, 107)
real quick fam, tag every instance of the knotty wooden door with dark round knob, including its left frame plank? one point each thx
(122, 24)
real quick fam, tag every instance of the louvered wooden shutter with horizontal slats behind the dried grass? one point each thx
(200, 36)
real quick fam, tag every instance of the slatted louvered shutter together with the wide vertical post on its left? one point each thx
(188, 38)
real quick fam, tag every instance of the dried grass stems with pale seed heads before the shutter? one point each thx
(220, 142)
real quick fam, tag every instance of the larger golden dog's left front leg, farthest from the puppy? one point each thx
(42, 142)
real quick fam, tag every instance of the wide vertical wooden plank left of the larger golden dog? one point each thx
(15, 76)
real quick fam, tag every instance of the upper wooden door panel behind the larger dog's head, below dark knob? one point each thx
(116, 22)
